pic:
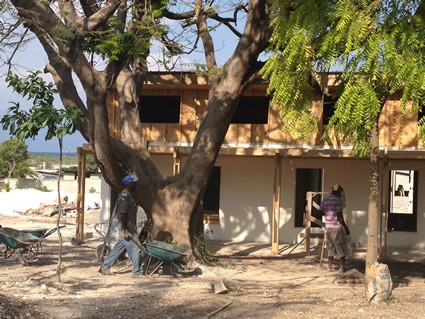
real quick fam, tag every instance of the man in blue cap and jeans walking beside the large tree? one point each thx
(126, 211)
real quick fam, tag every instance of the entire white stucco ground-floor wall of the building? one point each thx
(246, 192)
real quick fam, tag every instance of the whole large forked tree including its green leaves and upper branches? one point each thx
(74, 33)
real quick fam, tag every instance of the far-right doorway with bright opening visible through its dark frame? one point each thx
(403, 200)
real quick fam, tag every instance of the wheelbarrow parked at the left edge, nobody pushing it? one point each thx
(27, 243)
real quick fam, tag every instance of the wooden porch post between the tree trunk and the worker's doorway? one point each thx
(276, 205)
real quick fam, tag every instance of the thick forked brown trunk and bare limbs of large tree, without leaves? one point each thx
(173, 203)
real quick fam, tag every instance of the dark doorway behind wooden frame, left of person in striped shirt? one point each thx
(307, 180)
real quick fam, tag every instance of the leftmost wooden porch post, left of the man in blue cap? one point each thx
(80, 195)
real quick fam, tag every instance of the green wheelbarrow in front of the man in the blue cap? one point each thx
(160, 254)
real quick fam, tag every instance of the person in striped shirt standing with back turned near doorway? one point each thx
(335, 227)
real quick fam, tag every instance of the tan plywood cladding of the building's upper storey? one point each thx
(397, 128)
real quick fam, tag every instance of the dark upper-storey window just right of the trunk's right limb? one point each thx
(252, 110)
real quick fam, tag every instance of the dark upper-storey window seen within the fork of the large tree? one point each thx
(160, 109)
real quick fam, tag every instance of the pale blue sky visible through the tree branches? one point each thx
(34, 58)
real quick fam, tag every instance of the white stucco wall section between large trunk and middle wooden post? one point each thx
(245, 199)
